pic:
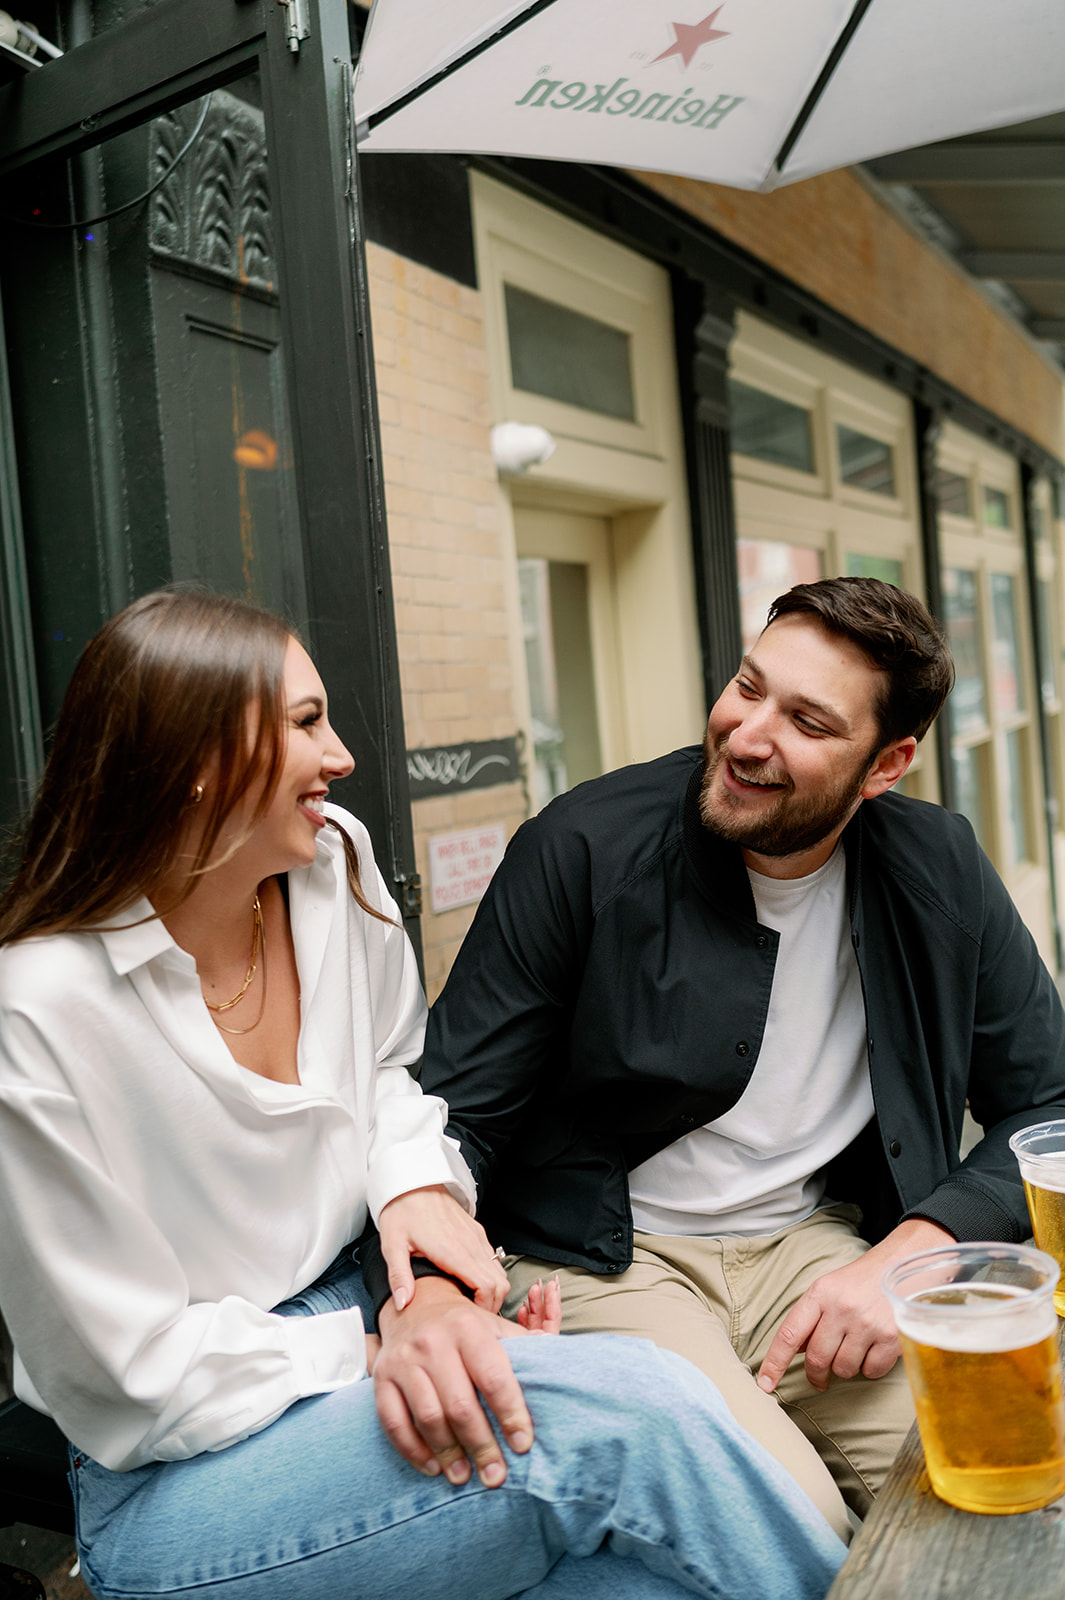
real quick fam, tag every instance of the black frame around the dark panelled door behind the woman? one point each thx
(161, 58)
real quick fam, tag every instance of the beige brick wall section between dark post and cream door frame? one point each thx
(445, 538)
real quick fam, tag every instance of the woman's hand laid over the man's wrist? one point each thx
(429, 1223)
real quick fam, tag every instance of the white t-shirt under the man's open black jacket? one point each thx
(760, 1167)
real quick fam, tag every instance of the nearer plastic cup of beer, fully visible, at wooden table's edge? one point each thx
(979, 1342)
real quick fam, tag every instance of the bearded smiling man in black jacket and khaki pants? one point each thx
(720, 1010)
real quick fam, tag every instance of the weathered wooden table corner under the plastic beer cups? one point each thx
(917, 1548)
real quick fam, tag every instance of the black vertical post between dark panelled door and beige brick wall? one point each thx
(329, 353)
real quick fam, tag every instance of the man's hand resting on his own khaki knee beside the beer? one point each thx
(845, 1322)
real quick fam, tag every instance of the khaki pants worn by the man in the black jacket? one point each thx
(719, 1303)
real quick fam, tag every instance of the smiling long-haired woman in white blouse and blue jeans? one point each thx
(207, 1015)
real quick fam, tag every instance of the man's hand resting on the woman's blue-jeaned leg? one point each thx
(436, 1356)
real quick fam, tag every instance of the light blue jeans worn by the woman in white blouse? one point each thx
(639, 1487)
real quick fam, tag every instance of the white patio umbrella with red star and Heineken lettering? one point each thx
(751, 94)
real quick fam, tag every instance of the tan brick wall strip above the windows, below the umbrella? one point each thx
(840, 242)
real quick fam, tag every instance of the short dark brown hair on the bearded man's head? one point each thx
(896, 633)
